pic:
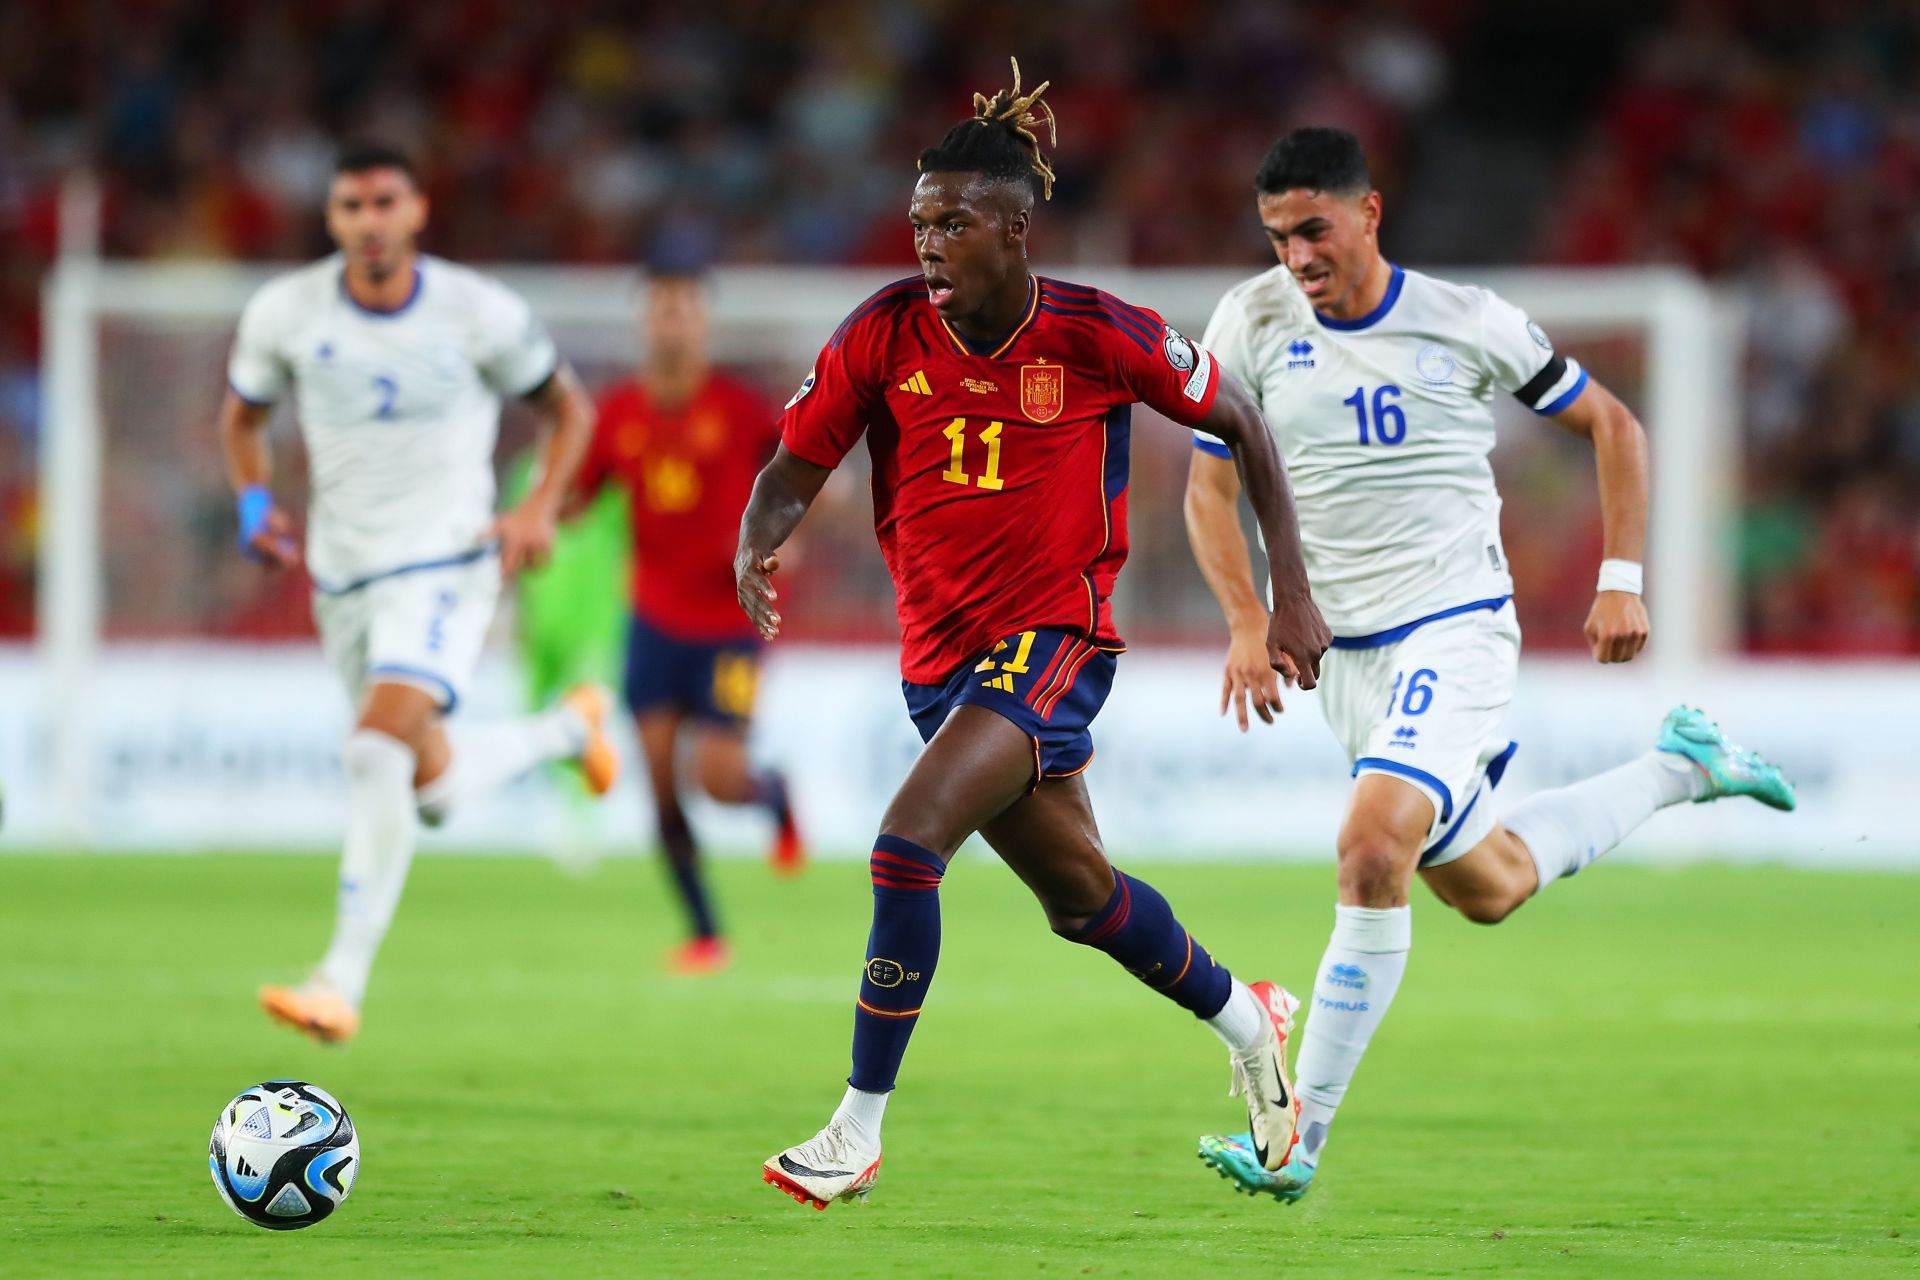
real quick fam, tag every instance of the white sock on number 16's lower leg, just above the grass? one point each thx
(1356, 984)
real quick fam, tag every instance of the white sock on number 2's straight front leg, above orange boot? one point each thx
(373, 865)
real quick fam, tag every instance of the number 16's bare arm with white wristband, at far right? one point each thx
(1618, 625)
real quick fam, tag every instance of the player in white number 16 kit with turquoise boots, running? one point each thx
(1380, 385)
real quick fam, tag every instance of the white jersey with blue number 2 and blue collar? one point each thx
(398, 408)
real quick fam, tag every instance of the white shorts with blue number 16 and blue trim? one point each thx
(1431, 709)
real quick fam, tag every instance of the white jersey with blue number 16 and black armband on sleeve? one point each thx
(1387, 423)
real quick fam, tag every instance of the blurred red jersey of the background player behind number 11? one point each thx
(688, 471)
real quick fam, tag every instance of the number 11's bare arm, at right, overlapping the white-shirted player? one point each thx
(1297, 634)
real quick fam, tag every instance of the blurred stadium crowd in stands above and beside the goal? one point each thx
(1767, 145)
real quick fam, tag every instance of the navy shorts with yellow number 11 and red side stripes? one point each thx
(1047, 682)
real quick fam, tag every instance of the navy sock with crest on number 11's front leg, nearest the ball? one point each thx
(901, 953)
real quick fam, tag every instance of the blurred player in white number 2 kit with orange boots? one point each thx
(398, 364)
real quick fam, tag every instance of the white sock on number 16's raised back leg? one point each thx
(1570, 828)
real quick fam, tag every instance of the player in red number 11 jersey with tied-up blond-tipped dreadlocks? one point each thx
(997, 406)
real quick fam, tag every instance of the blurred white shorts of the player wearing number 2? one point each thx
(418, 627)
